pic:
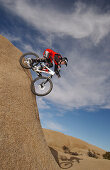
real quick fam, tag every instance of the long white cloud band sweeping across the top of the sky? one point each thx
(82, 22)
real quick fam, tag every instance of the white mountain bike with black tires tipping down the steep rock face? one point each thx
(41, 85)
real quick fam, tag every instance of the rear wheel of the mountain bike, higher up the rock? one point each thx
(25, 57)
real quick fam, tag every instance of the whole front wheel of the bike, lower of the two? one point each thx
(41, 86)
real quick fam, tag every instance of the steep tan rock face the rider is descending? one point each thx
(22, 142)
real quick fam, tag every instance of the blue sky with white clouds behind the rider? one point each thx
(79, 104)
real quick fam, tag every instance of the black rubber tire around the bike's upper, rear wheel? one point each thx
(24, 55)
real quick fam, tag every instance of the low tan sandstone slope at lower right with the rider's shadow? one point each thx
(77, 156)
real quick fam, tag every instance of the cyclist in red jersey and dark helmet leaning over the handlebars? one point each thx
(50, 56)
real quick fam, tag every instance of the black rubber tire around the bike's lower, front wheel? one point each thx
(33, 88)
